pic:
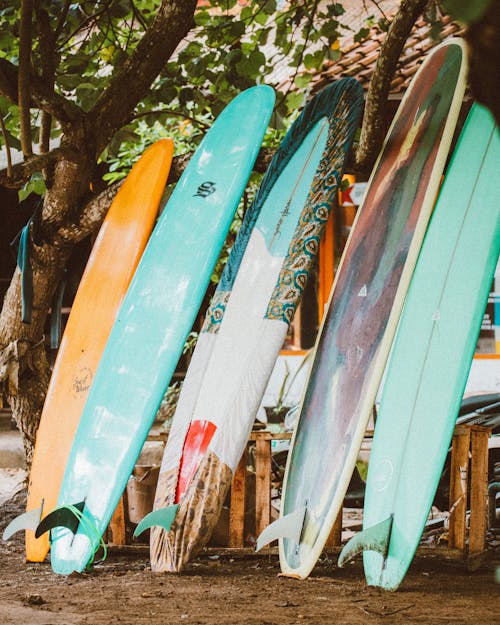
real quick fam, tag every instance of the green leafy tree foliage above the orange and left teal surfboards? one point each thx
(232, 47)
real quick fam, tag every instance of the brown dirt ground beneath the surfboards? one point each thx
(220, 588)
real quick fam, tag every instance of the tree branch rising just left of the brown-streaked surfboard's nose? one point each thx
(372, 131)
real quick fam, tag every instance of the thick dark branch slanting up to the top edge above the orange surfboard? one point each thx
(172, 22)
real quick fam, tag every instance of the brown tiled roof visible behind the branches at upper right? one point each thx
(358, 59)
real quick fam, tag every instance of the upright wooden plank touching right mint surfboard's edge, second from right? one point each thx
(458, 487)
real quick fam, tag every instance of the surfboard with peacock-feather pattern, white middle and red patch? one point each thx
(247, 322)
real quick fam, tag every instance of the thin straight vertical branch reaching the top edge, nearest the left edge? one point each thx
(23, 79)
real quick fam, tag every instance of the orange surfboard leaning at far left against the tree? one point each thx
(115, 255)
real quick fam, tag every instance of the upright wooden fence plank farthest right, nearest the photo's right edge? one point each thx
(479, 489)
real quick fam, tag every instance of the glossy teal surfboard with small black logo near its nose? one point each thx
(156, 315)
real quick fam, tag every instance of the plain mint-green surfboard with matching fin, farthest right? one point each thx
(432, 354)
